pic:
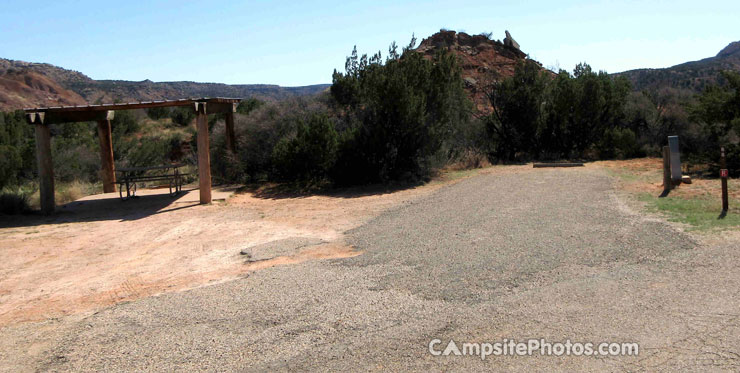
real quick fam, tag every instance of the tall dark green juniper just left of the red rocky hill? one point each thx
(399, 114)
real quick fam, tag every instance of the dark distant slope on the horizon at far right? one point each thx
(693, 76)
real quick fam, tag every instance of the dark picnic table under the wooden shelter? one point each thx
(130, 176)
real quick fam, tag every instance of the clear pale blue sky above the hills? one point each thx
(298, 43)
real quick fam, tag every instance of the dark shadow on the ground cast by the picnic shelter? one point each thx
(99, 208)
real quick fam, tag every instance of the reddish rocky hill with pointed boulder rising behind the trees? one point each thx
(481, 58)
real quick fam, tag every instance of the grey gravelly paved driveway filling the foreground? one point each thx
(549, 254)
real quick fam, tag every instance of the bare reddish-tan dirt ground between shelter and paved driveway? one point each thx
(100, 251)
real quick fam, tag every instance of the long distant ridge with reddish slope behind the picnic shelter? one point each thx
(25, 84)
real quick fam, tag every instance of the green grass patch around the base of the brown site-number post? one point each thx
(700, 213)
